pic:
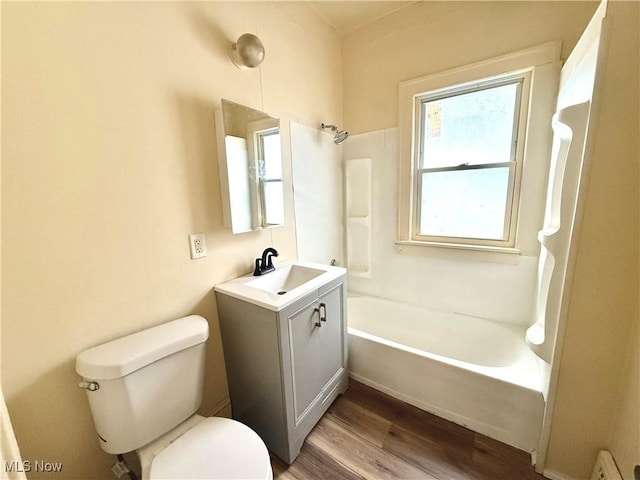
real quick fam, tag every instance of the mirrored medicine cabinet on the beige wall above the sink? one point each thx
(250, 161)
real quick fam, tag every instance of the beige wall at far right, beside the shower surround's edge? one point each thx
(604, 299)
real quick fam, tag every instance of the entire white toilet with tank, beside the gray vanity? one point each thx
(144, 390)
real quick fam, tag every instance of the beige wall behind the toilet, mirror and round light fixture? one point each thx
(109, 162)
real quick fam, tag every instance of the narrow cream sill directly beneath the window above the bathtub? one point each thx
(480, 253)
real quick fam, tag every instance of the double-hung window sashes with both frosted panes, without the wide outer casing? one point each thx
(467, 162)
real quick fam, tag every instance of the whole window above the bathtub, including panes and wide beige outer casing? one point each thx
(462, 135)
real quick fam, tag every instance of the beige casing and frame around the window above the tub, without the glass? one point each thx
(541, 65)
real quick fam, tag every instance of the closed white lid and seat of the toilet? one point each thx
(215, 448)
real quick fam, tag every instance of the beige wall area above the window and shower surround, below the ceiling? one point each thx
(431, 37)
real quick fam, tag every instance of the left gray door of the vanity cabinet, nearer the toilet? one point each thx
(306, 366)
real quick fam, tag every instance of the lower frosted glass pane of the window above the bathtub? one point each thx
(464, 203)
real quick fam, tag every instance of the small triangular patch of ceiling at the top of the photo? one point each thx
(346, 16)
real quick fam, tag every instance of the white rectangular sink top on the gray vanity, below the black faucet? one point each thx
(285, 285)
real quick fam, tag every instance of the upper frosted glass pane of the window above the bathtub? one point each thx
(473, 128)
